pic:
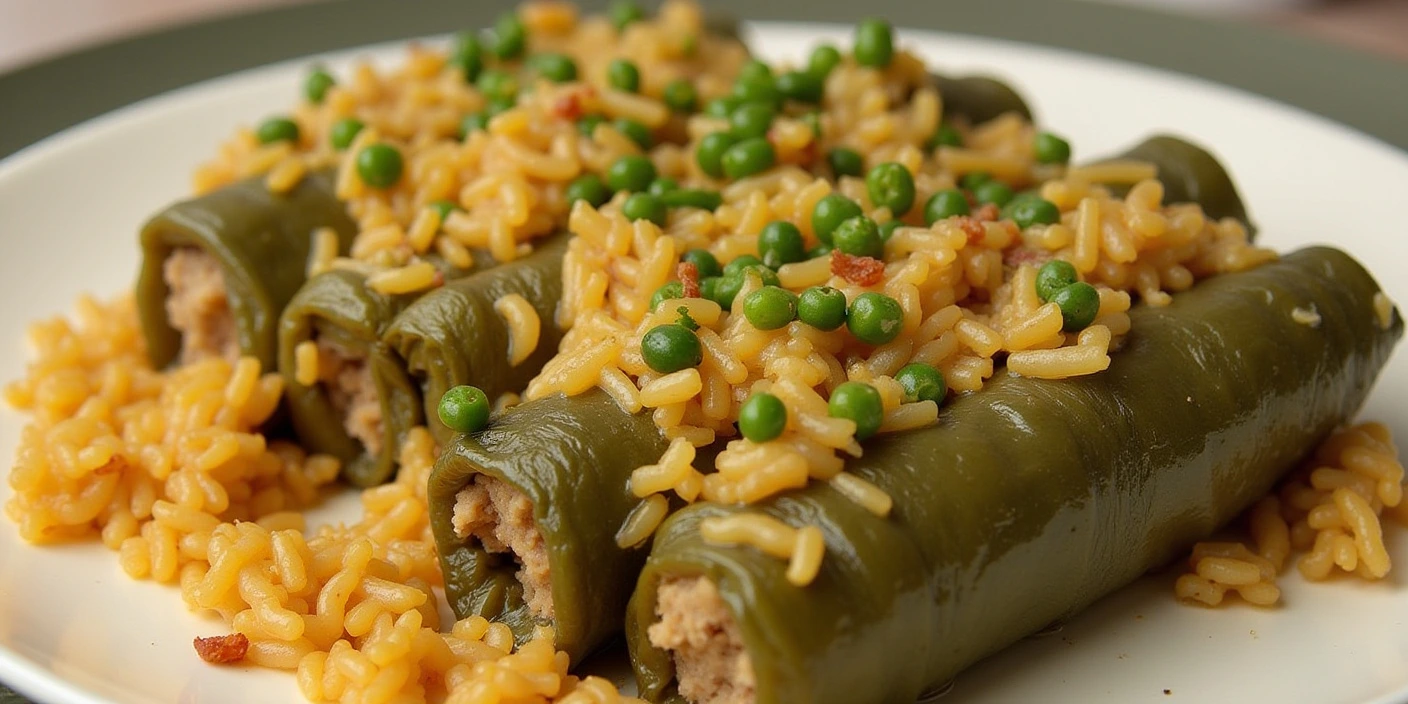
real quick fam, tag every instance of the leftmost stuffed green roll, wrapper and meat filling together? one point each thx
(218, 271)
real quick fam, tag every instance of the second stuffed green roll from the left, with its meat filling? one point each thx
(364, 402)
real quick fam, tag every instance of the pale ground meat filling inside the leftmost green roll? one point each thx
(198, 306)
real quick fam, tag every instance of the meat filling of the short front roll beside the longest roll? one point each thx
(501, 519)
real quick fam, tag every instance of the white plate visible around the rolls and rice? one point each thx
(75, 629)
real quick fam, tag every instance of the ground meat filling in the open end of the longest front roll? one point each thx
(710, 662)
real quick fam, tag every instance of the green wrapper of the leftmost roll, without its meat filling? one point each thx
(263, 243)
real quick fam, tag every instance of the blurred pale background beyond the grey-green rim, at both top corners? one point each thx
(33, 30)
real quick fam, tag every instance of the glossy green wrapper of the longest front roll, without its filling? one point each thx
(1031, 499)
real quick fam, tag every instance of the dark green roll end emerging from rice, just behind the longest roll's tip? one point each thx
(1190, 174)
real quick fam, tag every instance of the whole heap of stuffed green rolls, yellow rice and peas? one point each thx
(820, 379)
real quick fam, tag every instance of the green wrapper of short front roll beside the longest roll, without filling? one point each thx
(572, 457)
